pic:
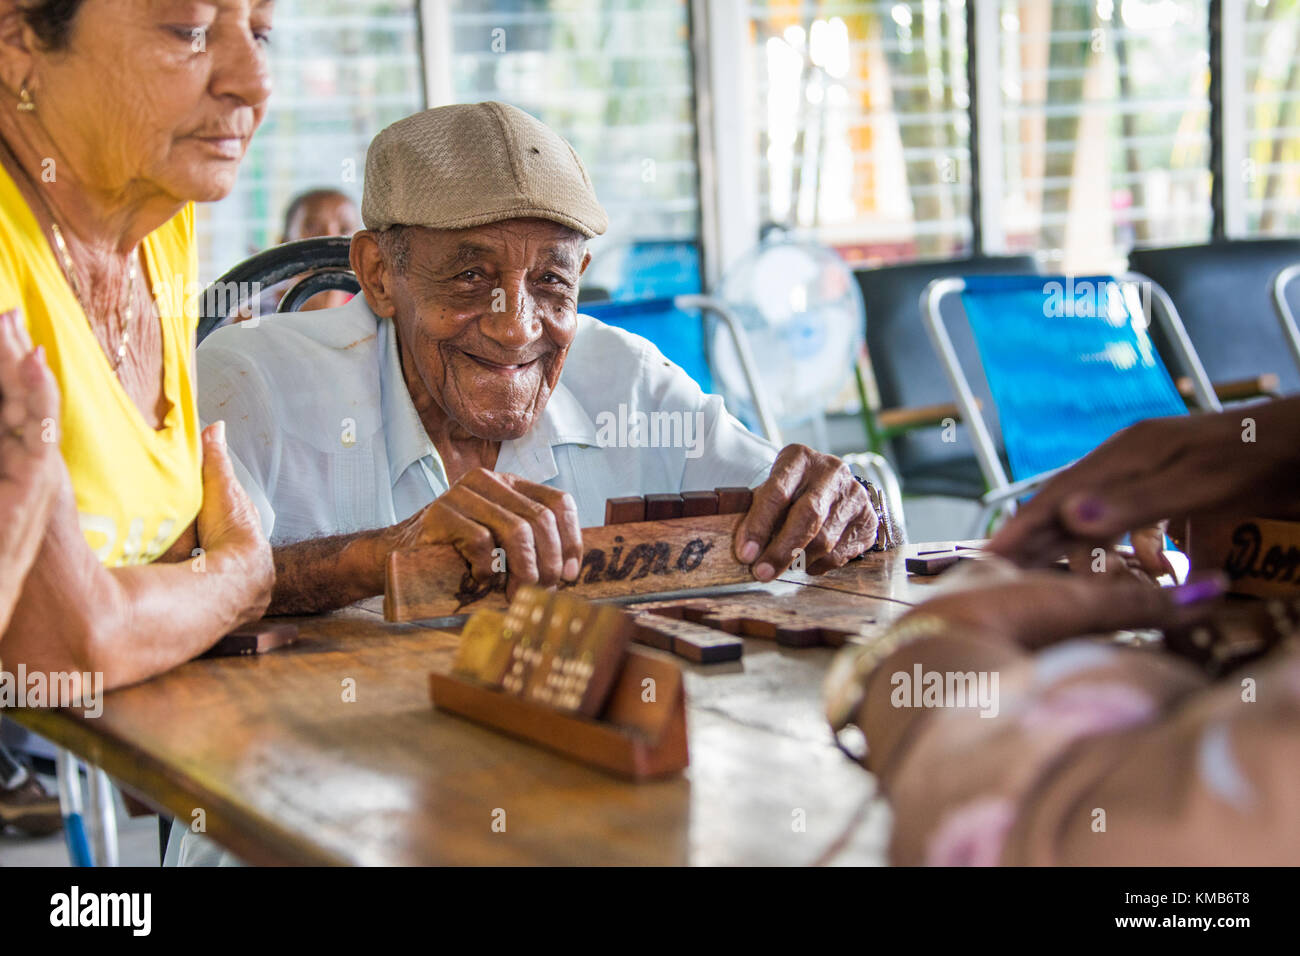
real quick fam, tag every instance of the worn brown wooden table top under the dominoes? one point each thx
(288, 772)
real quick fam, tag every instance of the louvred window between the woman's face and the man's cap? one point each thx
(343, 71)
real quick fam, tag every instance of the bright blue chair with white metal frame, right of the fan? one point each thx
(1067, 361)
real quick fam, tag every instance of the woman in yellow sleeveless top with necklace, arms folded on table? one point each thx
(115, 118)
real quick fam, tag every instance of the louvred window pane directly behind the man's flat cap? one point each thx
(614, 77)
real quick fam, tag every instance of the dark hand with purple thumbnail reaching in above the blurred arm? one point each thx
(1237, 464)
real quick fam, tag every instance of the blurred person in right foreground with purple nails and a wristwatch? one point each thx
(1089, 752)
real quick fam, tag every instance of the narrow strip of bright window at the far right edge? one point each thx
(1272, 63)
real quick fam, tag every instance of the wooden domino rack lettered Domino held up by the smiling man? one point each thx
(619, 560)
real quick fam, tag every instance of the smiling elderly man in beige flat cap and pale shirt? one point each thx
(458, 401)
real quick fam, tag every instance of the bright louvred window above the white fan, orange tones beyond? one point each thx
(861, 114)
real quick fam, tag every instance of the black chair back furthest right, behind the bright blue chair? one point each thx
(1223, 293)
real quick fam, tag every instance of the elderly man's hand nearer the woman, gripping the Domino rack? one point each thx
(536, 529)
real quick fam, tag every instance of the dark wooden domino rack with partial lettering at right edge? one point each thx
(1260, 556)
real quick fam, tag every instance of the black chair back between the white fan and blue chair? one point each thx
(909, 374)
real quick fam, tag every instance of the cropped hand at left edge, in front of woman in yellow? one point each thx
(31, 465)
